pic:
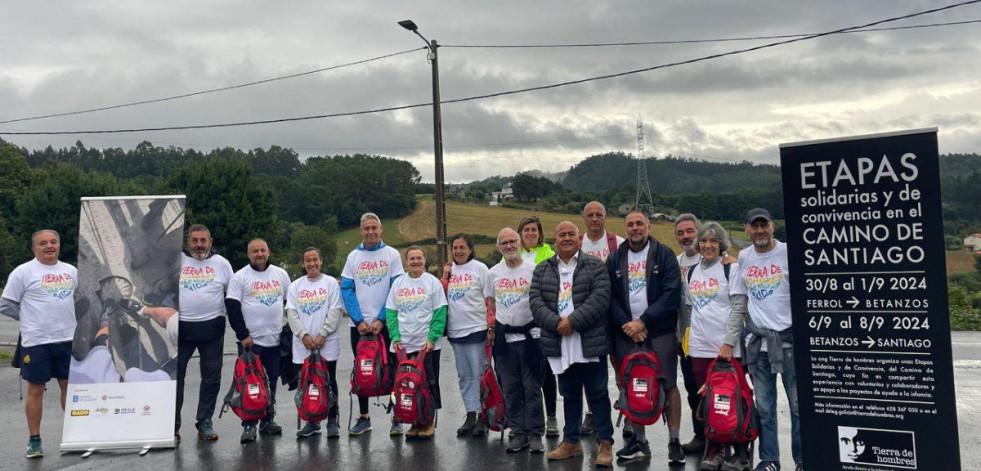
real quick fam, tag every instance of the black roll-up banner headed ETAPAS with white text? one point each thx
(869, 298)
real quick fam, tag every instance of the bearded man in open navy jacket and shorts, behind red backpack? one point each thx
(646, 286)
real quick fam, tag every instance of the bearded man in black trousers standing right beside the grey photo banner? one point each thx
(203, 281)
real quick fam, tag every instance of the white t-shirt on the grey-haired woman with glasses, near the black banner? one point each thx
(708, 293)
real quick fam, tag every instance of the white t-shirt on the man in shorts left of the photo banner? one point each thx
(46, 294)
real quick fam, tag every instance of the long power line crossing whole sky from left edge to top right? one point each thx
(498, 94)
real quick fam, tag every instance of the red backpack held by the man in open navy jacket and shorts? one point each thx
(642, 397)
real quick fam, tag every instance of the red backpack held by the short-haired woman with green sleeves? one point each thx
(414, 402)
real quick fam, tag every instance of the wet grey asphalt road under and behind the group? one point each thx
(376, 450)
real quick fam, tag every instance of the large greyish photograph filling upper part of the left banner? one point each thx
(126, 305)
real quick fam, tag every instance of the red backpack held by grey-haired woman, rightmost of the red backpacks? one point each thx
(727, 406)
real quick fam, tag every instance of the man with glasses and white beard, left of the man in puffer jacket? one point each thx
(517, 355)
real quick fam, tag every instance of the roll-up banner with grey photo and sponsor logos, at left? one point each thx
(122, 382)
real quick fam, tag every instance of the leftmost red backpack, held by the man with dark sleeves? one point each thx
(248, 395)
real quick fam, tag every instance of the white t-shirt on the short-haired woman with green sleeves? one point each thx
(415, 300)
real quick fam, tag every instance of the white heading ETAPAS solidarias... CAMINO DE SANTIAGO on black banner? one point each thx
(862, 171)
